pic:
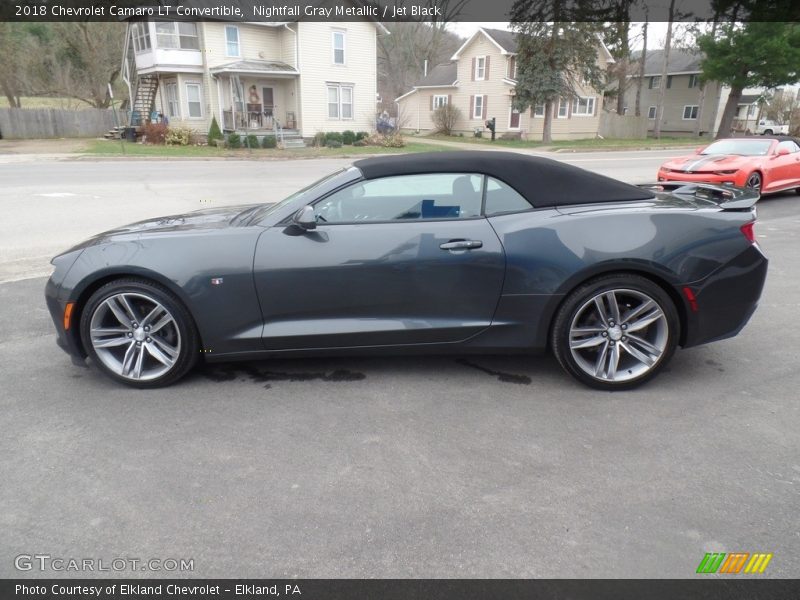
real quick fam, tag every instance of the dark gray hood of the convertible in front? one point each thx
(199, 220)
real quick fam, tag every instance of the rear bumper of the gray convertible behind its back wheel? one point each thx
(726, 299)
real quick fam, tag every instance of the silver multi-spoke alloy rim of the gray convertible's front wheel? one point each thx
(135, 336)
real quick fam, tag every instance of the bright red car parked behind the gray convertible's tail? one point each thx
(766, 163)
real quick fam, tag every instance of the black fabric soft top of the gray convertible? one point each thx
(543, 181)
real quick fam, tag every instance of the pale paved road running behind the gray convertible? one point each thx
(50, 205)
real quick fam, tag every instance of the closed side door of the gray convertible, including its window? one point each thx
(398, 260)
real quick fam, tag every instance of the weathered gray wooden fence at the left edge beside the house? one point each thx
(34, 123)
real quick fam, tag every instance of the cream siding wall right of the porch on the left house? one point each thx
(317, 70)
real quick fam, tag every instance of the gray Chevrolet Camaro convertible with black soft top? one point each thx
(462, 252)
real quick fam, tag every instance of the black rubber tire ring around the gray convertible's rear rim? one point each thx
(559, 338)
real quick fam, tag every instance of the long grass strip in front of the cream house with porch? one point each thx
(116, 148)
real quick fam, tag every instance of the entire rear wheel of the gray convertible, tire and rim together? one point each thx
(608, 356)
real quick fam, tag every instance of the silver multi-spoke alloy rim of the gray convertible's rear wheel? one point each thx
(618, 335)
